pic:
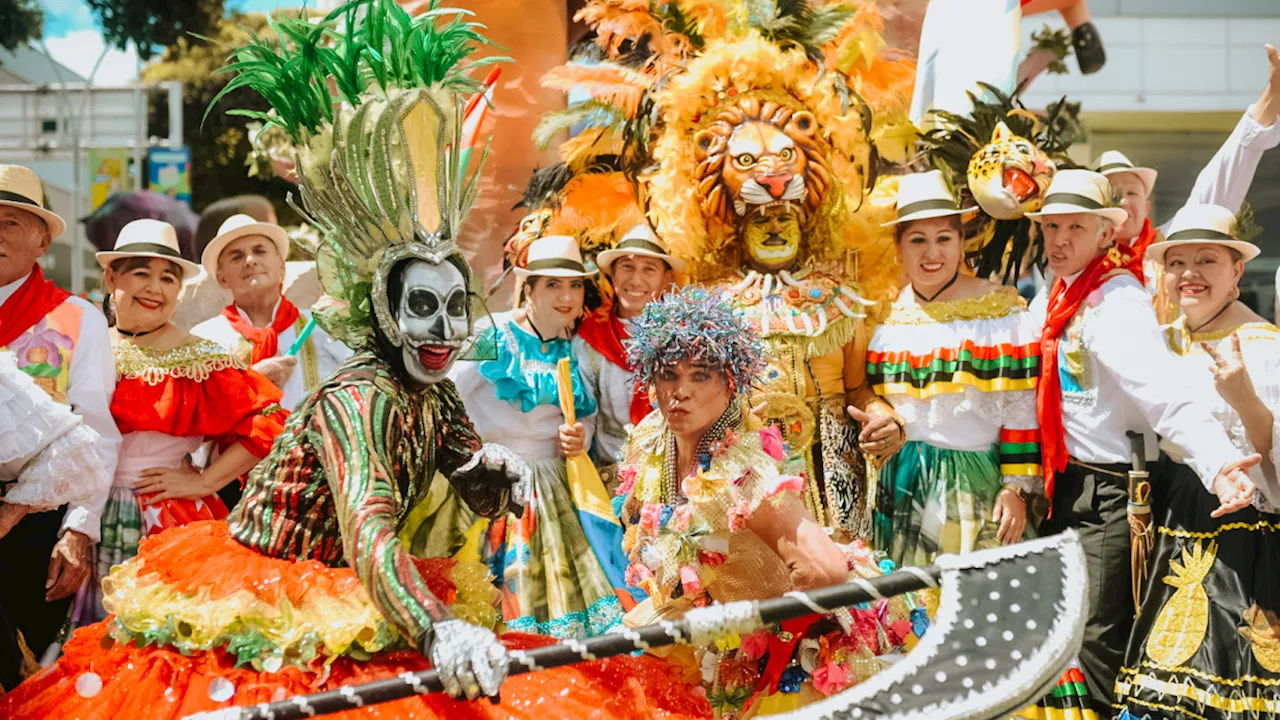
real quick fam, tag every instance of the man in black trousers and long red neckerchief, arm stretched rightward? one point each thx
(1107, 372)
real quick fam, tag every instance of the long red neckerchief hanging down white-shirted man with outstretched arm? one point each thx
(1063, 304)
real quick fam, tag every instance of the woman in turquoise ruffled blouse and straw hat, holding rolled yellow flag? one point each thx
(554, 580)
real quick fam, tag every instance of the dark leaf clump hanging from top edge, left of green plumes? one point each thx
(154, 25)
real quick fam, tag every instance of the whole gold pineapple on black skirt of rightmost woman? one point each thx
(1181, 627)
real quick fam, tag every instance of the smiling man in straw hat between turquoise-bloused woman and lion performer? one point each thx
(641, 271)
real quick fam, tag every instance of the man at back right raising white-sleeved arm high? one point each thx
(1224, 181)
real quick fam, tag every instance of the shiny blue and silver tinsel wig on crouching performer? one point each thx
(694, 325)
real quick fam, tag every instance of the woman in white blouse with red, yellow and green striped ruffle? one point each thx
(958, 358)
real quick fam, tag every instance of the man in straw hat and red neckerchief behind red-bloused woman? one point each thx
(262, 325)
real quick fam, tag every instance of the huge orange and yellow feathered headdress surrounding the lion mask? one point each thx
(657, 74)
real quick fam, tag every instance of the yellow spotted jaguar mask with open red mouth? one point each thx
(1009, 176)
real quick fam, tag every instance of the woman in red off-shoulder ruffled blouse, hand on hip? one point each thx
(173, 394)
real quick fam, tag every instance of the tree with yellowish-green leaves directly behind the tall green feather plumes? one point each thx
(220, 144)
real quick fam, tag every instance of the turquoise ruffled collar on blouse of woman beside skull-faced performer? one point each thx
(524, 375)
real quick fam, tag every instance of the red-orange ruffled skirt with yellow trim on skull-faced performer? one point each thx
(220, 618)
